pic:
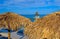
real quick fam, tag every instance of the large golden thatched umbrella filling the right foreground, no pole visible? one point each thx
(47, 27)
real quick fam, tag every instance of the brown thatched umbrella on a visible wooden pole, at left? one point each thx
(12, 21)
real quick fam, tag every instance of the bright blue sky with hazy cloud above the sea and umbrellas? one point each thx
(29, 6)
